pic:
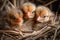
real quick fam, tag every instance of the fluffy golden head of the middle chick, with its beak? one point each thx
(28, 9)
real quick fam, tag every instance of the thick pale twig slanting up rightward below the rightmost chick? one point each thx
(37, 33)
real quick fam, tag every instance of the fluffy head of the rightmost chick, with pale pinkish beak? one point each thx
(43, 14)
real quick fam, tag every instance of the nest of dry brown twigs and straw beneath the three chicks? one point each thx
(48, 32)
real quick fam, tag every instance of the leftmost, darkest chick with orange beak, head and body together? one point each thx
(14, 18)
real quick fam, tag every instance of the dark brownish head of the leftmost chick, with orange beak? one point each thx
(14, 18)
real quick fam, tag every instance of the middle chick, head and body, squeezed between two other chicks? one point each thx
(28, 12)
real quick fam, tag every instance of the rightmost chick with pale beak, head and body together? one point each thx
(43, 17)
